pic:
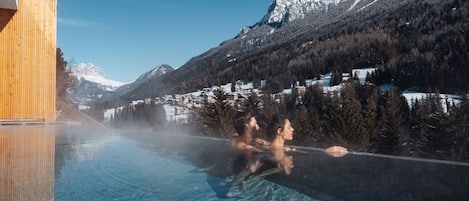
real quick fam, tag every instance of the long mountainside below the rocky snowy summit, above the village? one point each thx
(388, 35)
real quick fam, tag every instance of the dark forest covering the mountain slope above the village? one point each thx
(421, 45)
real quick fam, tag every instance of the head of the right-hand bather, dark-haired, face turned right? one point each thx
(280, 126)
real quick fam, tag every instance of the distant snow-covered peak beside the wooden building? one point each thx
(92, 83)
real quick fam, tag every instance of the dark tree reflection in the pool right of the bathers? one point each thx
(359, 176)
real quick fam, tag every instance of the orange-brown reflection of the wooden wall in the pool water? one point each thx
(27, 163)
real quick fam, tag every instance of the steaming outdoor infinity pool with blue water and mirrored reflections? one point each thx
(65, 162)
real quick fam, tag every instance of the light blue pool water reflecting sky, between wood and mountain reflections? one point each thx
(108, 165)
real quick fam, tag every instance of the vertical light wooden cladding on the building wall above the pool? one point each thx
(28, 60)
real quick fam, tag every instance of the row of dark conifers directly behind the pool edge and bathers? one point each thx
(361, 118)
